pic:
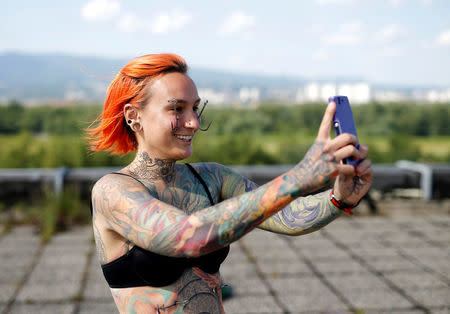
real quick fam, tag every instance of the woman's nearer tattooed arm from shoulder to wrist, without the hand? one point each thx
(163, 229)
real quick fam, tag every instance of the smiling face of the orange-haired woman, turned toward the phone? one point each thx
(172, 96)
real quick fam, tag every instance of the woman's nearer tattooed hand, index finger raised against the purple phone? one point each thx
(322, 162)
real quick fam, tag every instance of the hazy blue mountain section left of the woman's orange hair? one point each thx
(48, 76)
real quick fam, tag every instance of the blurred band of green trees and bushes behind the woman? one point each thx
(48, 136)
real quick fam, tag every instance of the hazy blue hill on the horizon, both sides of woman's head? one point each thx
(40, 77)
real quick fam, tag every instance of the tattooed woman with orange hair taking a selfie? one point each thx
(162, 228)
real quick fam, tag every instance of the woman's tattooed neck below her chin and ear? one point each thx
(147, 168)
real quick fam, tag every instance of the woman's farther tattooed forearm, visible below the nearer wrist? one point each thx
(304, 215)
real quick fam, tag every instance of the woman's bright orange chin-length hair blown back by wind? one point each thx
(129, 87)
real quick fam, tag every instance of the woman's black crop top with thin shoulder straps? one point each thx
(139, 267)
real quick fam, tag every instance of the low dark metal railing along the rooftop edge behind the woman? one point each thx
(433, 180)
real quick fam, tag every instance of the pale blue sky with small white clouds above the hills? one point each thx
(390, 42)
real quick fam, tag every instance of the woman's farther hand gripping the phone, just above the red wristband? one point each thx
(351, 188)
